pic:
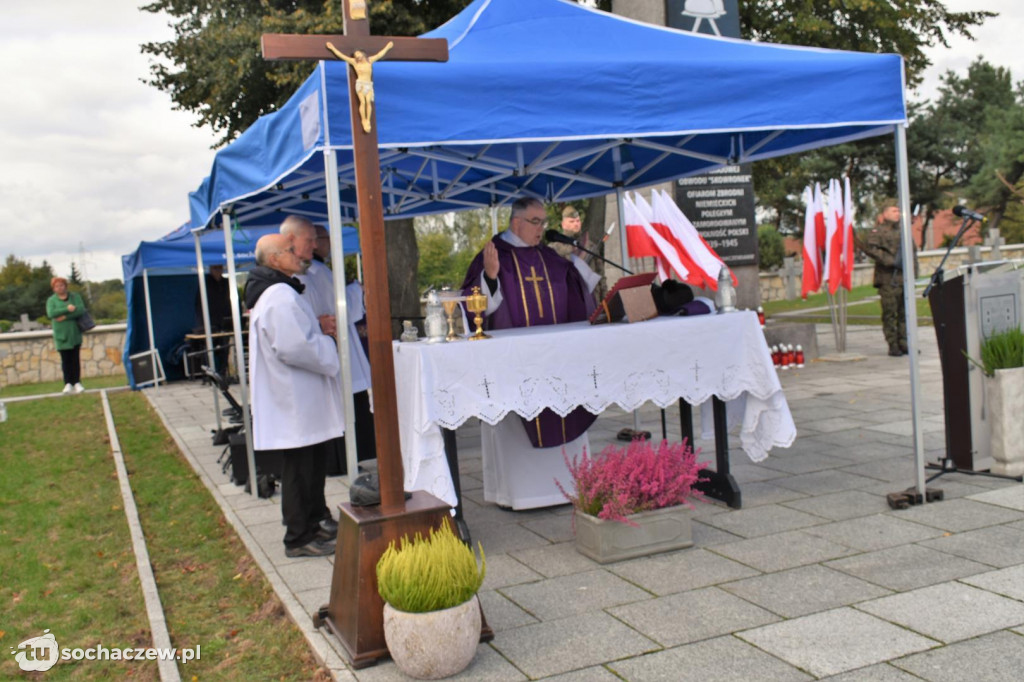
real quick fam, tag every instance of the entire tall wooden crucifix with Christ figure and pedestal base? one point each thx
(355, 614)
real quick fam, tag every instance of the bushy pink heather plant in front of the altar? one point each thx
(636, 479)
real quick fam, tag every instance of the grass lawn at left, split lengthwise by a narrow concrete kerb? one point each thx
(68, 566)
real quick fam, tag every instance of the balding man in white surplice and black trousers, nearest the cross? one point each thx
(296, 395)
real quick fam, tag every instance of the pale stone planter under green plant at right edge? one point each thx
(1006, 404)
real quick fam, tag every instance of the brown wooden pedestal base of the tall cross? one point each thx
(356, 612)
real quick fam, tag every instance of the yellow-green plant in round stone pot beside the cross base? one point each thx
(432, 614)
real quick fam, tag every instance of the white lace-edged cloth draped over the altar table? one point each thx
(565, 367)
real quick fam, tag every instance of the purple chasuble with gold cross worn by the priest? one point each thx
(539, 287)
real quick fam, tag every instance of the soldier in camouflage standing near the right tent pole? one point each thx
(883, 246)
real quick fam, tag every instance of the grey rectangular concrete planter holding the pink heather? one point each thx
(657, 531)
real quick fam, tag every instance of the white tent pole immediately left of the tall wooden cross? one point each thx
(342, 309)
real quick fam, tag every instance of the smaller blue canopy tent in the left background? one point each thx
(167, 270)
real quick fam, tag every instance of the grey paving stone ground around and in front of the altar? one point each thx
(815, 579)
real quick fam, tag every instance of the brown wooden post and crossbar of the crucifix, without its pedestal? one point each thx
(368, 185)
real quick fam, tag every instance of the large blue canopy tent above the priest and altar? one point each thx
(552, 100)
